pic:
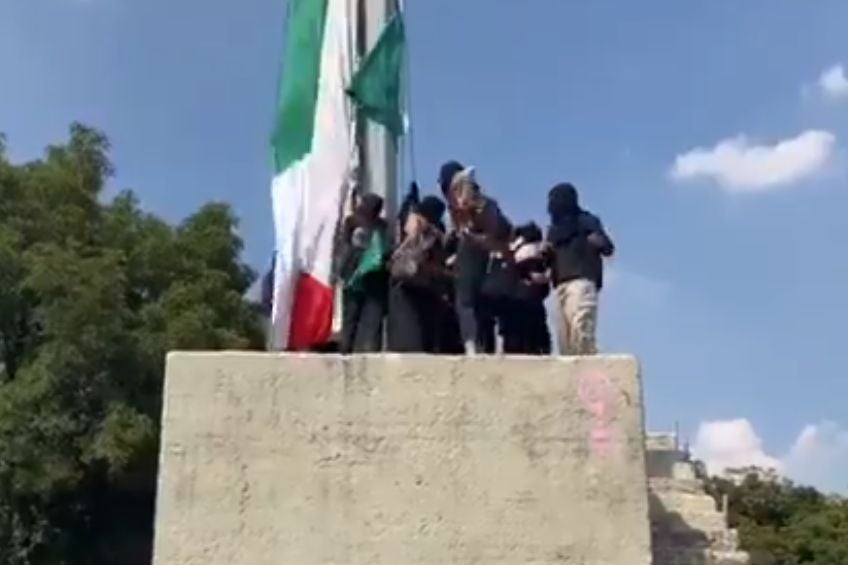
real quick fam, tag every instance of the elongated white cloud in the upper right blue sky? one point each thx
(737, 165)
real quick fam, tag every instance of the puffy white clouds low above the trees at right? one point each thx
(817, 457)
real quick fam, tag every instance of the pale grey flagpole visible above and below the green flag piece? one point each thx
(379, 150)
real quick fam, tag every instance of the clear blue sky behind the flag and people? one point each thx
(731, 275)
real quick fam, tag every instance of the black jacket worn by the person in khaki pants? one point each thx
(573, 256)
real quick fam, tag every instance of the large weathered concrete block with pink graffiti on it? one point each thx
(388, 460)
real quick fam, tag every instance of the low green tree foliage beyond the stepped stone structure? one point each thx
(782, 523)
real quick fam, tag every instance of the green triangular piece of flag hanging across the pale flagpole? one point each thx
(376, 86)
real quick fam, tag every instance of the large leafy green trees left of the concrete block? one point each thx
(93, 294)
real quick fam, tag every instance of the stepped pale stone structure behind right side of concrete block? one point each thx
(686, 526)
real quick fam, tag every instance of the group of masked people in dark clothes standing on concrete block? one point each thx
(456, 273)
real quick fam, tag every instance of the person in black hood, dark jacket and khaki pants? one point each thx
(576, 244)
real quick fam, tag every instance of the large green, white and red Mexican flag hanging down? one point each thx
(322, 89)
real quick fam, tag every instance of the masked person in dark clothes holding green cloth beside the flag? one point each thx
(365, 249)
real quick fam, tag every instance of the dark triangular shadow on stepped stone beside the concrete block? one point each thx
(673, 540)
